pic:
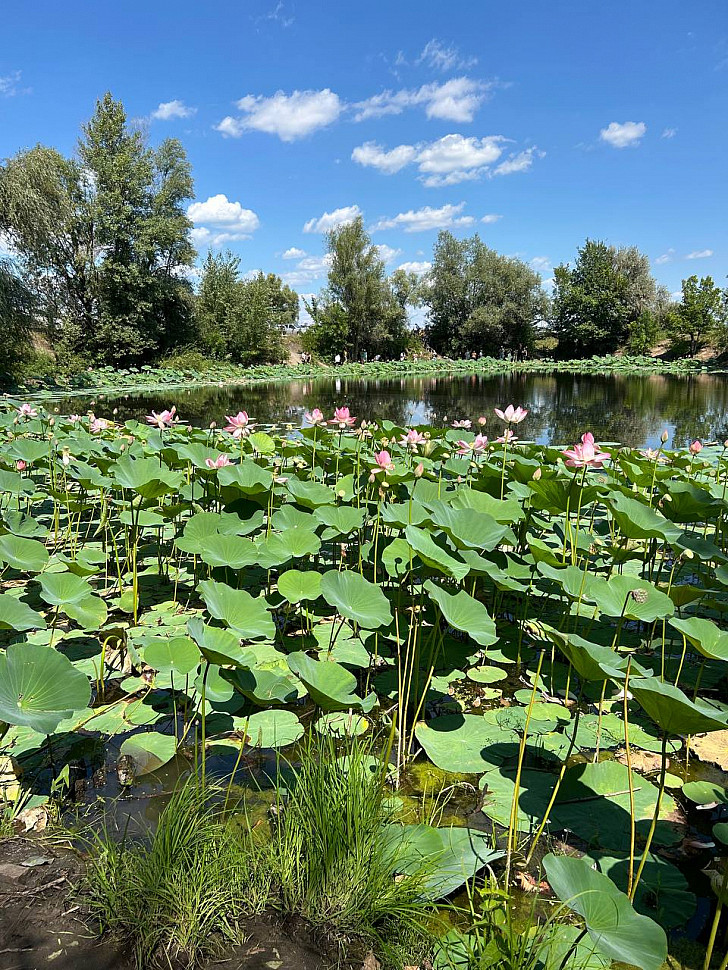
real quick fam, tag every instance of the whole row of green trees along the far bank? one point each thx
(103, 271)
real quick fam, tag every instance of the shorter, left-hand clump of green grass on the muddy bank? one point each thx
(181, 895)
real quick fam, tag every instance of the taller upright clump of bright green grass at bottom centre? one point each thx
(335, 865)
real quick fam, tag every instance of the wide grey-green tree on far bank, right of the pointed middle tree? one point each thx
(481, 301)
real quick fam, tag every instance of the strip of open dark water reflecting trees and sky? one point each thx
(631, 410)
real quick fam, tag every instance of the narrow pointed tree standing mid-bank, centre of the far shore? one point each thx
(360, 309)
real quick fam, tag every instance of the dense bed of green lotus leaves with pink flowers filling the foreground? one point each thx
(533, 635)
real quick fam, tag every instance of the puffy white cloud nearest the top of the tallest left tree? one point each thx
(290, 116)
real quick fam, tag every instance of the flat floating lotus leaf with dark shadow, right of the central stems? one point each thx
(458, 742)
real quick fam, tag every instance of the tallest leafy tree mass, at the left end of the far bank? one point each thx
(103, 239)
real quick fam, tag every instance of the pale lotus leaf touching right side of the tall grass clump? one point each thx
(449, 855)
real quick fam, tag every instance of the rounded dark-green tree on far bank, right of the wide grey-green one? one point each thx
(600, 299)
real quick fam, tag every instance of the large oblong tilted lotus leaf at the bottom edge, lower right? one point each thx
(616, 929)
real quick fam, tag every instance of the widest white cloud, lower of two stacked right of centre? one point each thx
(447, 161)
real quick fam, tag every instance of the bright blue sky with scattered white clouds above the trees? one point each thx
(535, 124)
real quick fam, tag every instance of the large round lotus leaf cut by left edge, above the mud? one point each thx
(39, 687)
